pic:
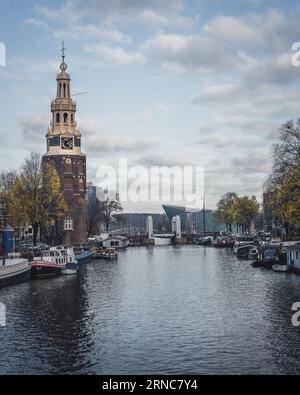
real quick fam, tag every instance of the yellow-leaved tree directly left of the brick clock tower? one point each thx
(37, 198)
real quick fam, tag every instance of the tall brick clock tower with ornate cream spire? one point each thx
(64, 152)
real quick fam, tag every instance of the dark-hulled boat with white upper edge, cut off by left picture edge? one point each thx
(14, 270)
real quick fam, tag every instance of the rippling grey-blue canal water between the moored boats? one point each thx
(157, 310)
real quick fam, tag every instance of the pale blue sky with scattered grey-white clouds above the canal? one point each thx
(169, 82)
